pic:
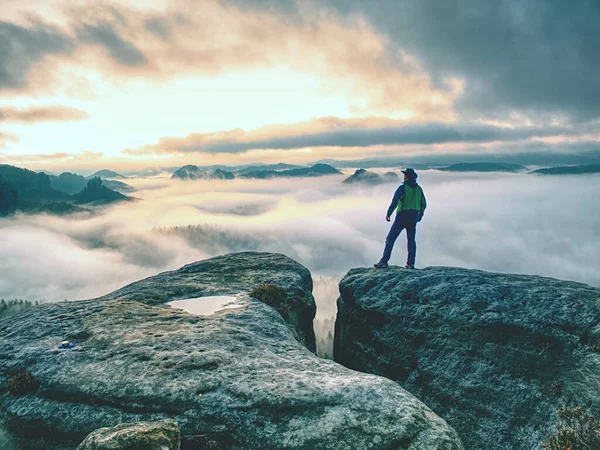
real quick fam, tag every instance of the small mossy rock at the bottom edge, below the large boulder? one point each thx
(159, 435)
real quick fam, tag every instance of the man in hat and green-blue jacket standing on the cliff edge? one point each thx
(409, 202)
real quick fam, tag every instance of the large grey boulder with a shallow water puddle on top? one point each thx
(237, 379)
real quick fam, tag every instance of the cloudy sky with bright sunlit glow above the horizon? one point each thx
(136, 83)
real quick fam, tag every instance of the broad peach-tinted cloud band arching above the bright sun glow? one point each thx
(121, 42)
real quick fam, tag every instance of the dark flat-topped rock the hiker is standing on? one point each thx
(495, 355)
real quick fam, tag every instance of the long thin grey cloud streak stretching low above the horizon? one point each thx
(332, 132)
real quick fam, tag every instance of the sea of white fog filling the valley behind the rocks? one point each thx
(515, 223)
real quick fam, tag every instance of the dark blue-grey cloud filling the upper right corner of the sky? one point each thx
(536, 58)
